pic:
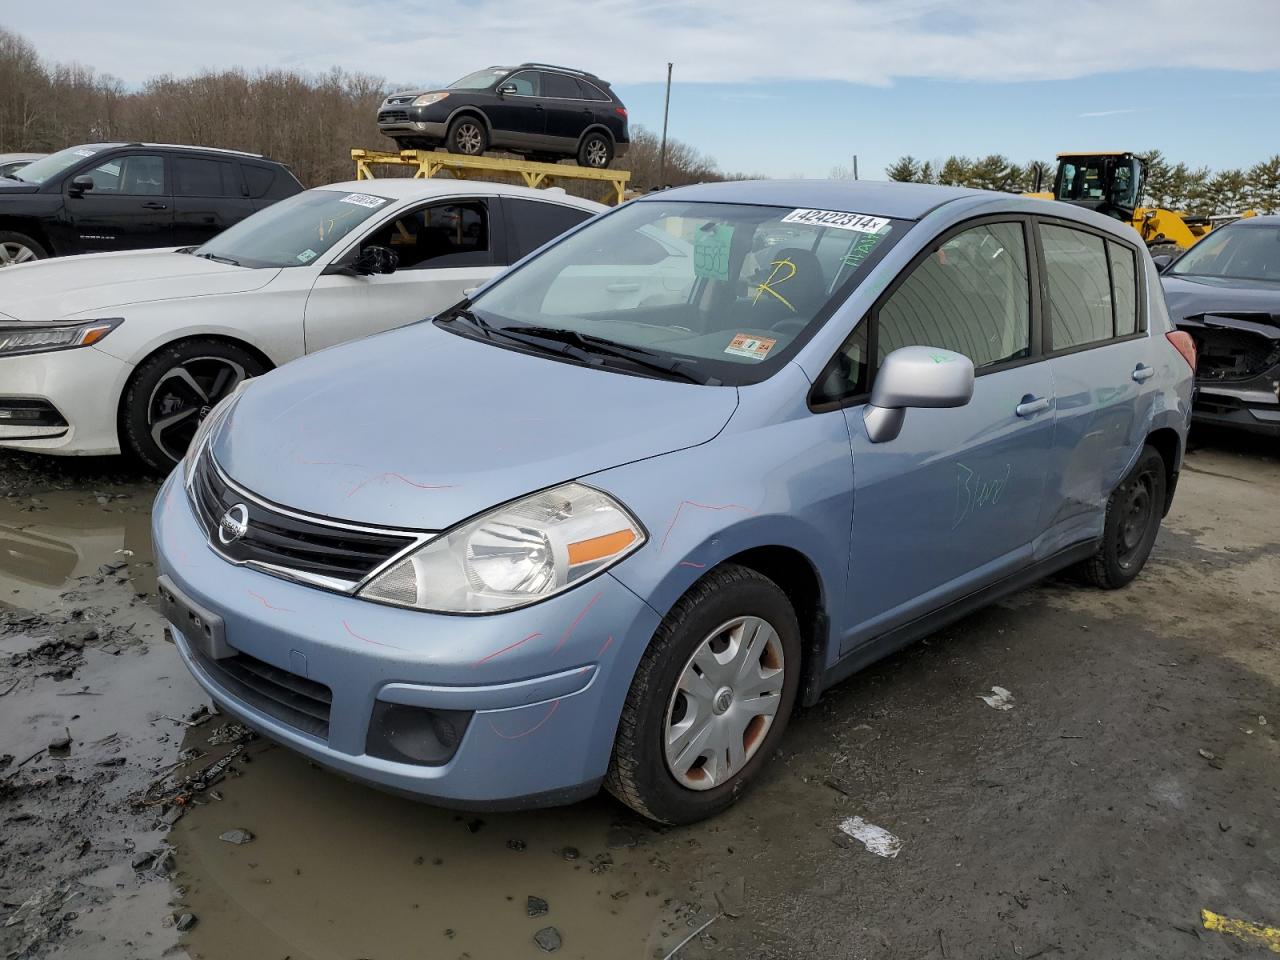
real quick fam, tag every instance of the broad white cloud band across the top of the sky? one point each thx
(630, 42)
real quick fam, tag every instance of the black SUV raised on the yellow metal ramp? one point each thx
(536, 109)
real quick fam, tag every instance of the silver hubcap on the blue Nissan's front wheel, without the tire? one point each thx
(725, 703)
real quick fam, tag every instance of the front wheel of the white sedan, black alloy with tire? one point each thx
(173, 392)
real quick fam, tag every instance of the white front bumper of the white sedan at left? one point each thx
(84, 387)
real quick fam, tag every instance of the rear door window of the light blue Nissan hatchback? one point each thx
(1080, 287)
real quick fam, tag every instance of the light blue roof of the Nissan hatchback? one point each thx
(902, 202)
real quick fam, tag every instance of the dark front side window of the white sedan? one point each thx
(437, 236)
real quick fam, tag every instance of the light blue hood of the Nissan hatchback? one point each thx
(419, 428)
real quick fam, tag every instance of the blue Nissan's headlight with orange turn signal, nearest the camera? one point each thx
(513, 556)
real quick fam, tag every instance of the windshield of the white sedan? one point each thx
(294, 232)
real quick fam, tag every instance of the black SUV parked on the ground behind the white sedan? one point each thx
(129, 196)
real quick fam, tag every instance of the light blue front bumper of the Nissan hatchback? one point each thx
(545, 685)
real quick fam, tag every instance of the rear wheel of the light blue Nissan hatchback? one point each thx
(1132, 524)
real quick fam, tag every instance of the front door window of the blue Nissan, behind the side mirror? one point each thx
(971, 295)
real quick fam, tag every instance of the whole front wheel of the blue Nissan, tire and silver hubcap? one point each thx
(710, 701)
